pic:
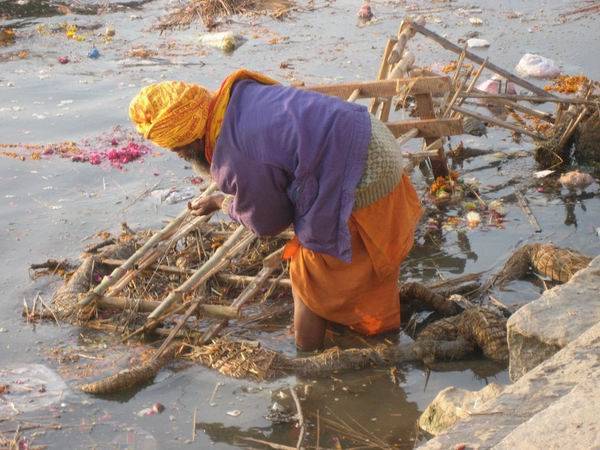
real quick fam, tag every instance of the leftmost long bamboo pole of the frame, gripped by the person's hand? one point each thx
(163, 234)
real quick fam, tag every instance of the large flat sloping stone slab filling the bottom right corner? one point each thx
(529, 399)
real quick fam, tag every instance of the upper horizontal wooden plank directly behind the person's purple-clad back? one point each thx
(384, 88)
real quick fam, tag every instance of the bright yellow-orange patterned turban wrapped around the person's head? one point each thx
(172, 113)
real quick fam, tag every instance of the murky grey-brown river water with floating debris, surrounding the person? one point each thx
(51, 207)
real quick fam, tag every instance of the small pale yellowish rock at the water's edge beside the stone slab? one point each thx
(453, 404)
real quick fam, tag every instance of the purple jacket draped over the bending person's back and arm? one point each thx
(292, 156)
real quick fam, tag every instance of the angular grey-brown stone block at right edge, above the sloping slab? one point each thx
(541, 328)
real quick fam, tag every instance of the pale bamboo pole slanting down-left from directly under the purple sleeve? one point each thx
(235, 242)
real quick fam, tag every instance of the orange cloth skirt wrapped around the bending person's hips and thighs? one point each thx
(363, 294)
